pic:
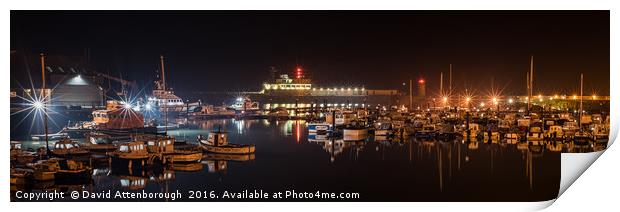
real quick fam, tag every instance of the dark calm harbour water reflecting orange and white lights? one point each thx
(286, 160)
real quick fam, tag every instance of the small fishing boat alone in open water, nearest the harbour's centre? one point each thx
(217, 142)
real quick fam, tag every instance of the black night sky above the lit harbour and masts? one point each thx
(233, 50)
